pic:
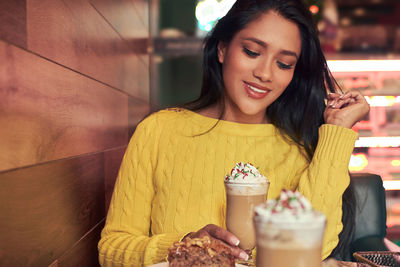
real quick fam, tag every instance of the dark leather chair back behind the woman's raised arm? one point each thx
(369, 207)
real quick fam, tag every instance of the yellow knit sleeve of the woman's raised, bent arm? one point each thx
(327, 177)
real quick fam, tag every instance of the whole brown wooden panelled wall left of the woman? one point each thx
(74, 83)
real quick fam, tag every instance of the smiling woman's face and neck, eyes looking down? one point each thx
(257, 66)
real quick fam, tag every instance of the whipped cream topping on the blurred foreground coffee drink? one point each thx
(290, 207)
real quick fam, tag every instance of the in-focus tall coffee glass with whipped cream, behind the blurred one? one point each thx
(245, 189)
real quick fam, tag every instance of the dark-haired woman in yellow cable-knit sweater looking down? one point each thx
(264, 100)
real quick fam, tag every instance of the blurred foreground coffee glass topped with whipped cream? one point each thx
(289, 232)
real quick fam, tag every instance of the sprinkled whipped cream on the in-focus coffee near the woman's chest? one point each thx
(244, 173)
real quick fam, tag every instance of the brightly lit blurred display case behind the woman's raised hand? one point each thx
(378, 147)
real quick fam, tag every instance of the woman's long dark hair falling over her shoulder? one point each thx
(298, 112)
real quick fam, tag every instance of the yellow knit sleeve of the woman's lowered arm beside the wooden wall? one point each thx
(125, 239)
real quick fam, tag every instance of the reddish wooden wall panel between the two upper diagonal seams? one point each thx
(74, 34)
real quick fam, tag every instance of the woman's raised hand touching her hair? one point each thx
(347, 109)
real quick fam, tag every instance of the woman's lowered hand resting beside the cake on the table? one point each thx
(215, 232)
